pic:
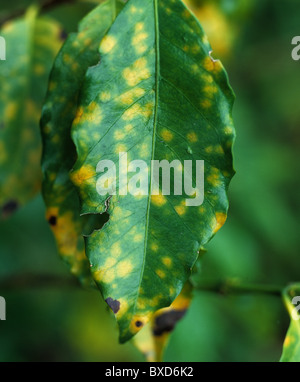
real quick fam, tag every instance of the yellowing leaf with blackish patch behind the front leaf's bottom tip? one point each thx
(153, 338)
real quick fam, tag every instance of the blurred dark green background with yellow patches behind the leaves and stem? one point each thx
(259, 243)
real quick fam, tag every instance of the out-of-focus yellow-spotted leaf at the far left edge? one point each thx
(31, 45)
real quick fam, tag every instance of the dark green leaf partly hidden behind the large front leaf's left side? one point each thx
(63, 210)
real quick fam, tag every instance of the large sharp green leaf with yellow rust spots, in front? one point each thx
(156, 94)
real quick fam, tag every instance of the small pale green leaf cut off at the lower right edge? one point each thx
(291, 346)
